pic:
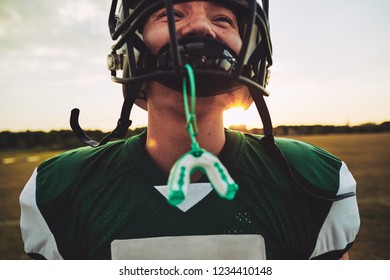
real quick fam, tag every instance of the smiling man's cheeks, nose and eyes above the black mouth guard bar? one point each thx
(193, 18)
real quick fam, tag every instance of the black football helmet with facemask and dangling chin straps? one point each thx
(133, 65)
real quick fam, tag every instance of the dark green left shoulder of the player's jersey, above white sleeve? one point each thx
(84, 168)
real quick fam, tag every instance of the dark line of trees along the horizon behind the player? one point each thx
(65, 139)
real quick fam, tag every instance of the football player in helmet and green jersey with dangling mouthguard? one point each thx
(290, 200)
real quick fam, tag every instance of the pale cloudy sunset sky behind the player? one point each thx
(331, 65)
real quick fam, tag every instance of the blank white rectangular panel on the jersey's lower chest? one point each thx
(204, 247)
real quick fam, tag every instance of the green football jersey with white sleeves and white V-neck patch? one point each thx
(76, 204)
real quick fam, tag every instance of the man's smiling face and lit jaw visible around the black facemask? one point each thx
(198, 18)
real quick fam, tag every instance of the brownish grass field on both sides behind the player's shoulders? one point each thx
(367, 156)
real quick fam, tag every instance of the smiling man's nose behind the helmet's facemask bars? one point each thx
(197, 25)
